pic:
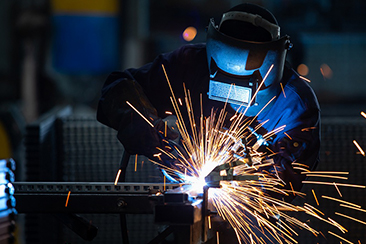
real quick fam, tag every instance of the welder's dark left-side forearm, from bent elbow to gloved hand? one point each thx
(136, 134)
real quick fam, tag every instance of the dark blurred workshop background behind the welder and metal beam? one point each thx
(56, 54)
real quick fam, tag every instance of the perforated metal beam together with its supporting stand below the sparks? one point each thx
(185, 216)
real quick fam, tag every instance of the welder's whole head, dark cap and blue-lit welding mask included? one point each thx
(240, 52)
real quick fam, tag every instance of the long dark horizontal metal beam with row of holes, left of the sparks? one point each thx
(85, 197)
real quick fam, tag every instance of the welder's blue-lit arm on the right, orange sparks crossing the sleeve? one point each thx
(296, 149)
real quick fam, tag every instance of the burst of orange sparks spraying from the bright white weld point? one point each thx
(247, 205)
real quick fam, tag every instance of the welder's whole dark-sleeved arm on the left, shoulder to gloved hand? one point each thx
(146, 88)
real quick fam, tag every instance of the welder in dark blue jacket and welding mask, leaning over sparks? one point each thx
(245, 48)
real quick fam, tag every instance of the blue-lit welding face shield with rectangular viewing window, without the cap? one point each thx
(238, 67)
